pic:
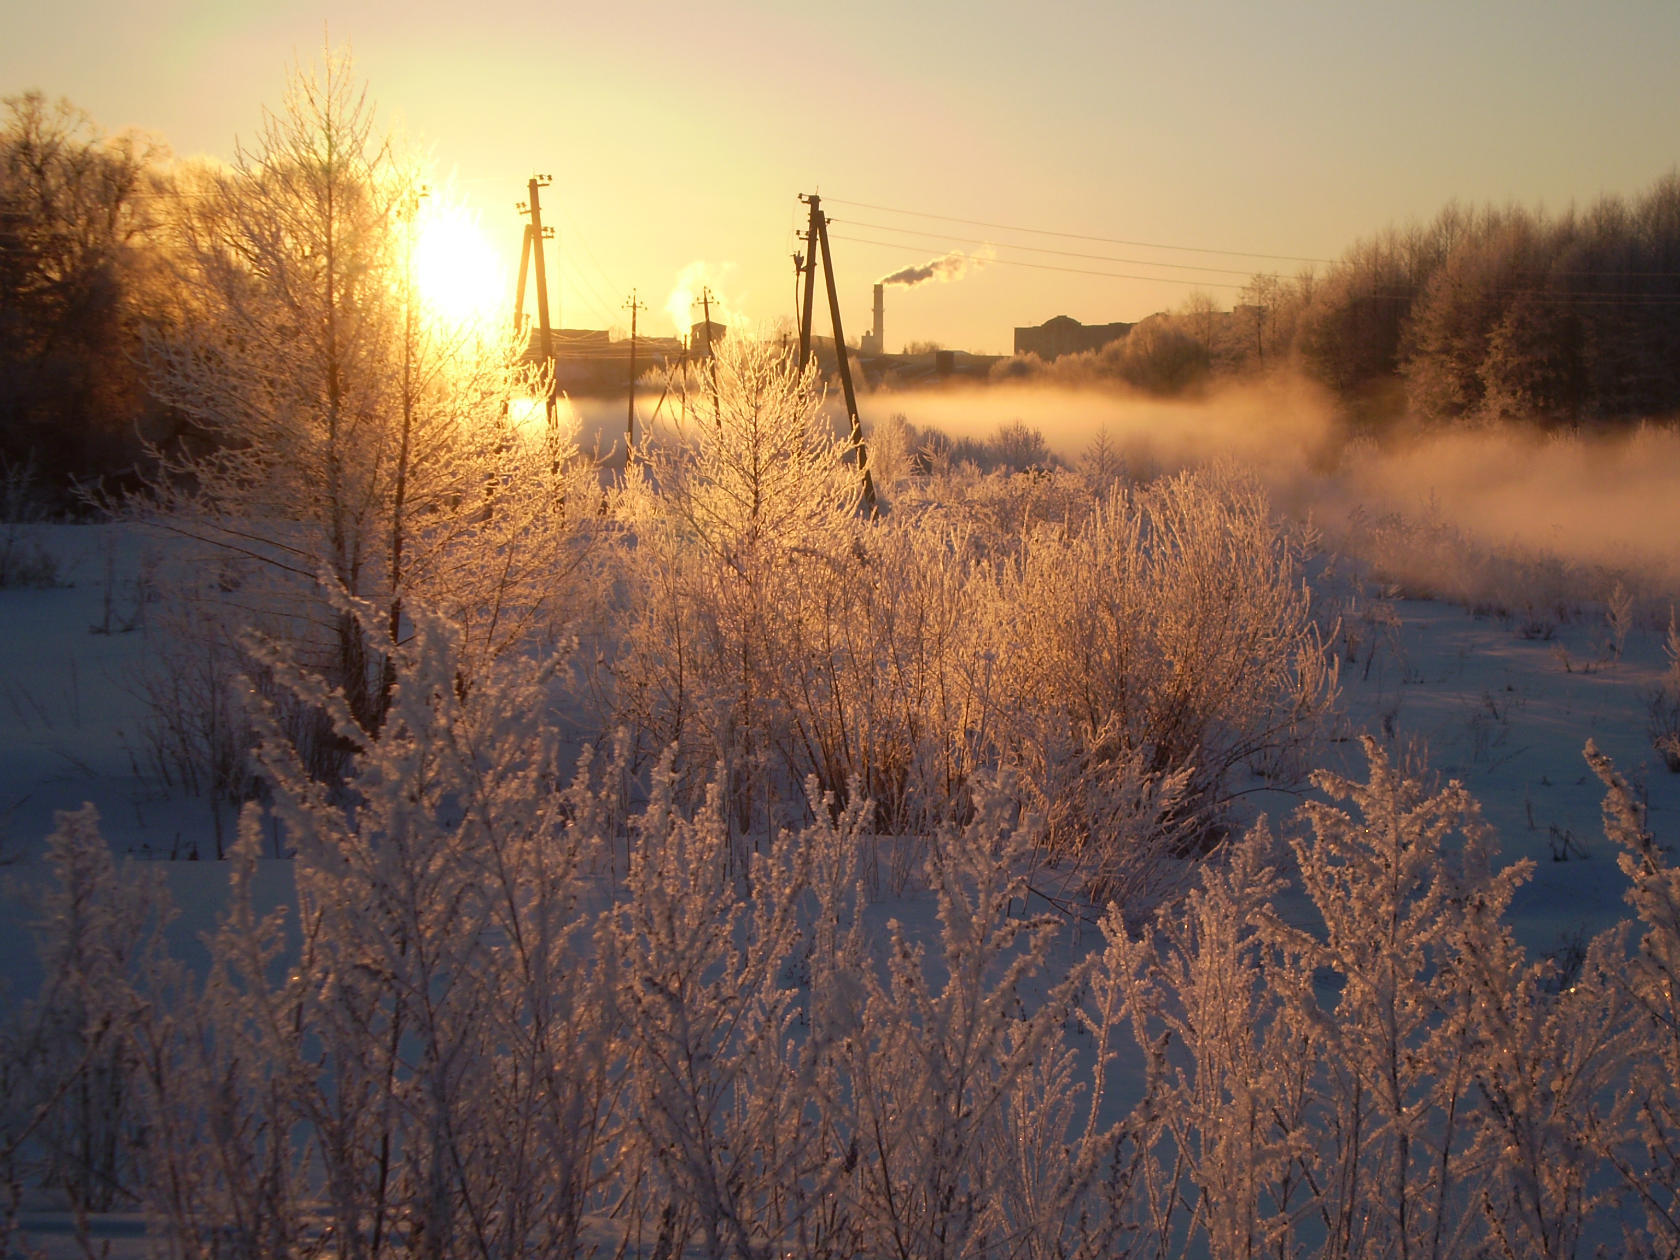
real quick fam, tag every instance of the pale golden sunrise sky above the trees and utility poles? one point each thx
(1229, 135)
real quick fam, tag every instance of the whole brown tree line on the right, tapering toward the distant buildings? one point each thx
(1478, 315)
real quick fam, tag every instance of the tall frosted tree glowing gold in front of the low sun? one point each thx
(350, 441)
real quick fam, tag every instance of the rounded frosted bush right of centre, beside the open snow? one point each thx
(1145, 658)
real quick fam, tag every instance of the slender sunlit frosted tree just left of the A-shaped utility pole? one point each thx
(753, 515)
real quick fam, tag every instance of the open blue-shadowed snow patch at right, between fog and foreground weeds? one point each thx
(1508, 717)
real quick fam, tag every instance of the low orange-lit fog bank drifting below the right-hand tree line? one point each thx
(1602, 501)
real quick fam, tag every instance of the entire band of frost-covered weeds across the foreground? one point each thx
(490, 1027)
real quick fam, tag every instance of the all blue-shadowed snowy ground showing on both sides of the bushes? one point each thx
(1501, 706)
